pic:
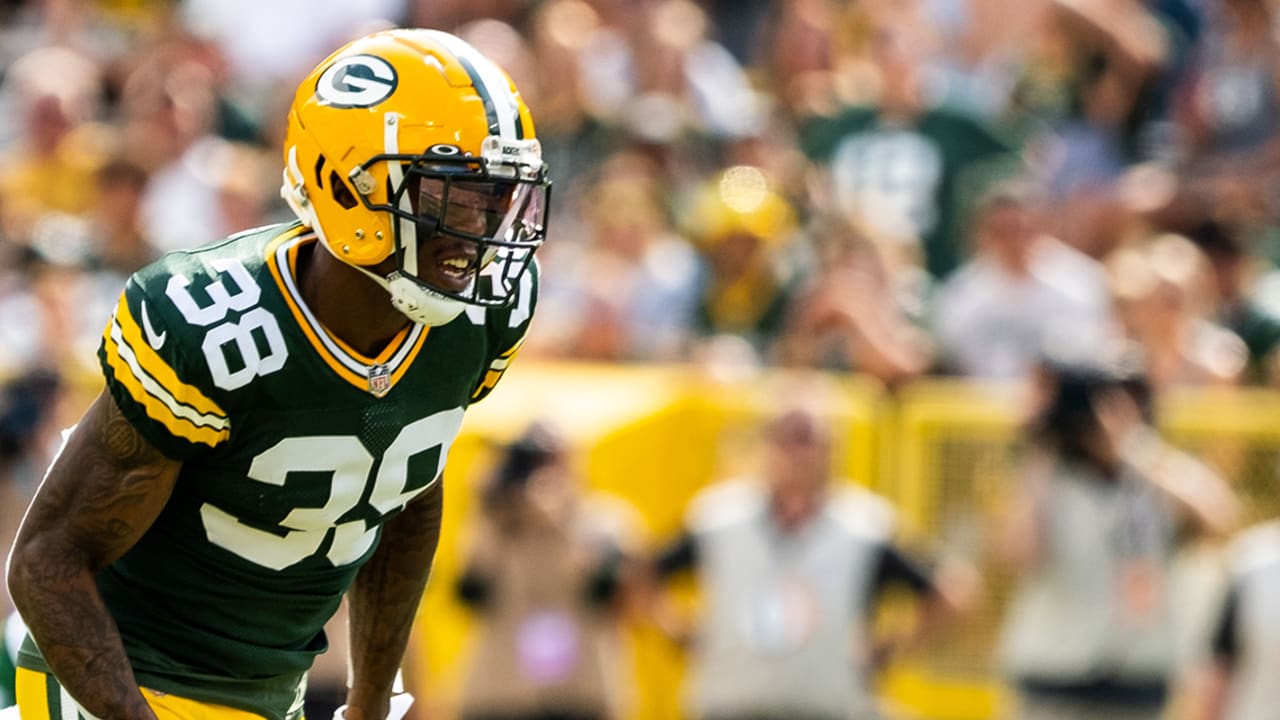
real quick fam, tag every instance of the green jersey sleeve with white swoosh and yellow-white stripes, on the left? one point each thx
(144, 356)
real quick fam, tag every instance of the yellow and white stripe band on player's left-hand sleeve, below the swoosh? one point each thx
(153, 384)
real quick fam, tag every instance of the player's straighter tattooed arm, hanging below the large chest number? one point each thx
(383, 603)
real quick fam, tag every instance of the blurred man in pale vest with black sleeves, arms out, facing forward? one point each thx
(789, 567)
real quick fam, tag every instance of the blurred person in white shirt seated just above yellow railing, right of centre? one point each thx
(1022, 294)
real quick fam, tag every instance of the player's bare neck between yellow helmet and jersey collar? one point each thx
(348, 303)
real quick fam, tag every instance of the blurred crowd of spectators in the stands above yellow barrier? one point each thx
(892, 188)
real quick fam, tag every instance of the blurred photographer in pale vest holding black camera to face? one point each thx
(1091, 536)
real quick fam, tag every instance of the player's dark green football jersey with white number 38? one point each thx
(295, 449)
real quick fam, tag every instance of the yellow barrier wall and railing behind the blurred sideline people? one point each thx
(940, 450)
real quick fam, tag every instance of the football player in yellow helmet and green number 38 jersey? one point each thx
(280, 407)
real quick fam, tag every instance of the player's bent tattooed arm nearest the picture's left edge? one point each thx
(100, 495)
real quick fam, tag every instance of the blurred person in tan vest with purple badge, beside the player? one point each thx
(547, 575)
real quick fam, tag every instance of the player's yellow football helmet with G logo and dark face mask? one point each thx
(412, 145)
